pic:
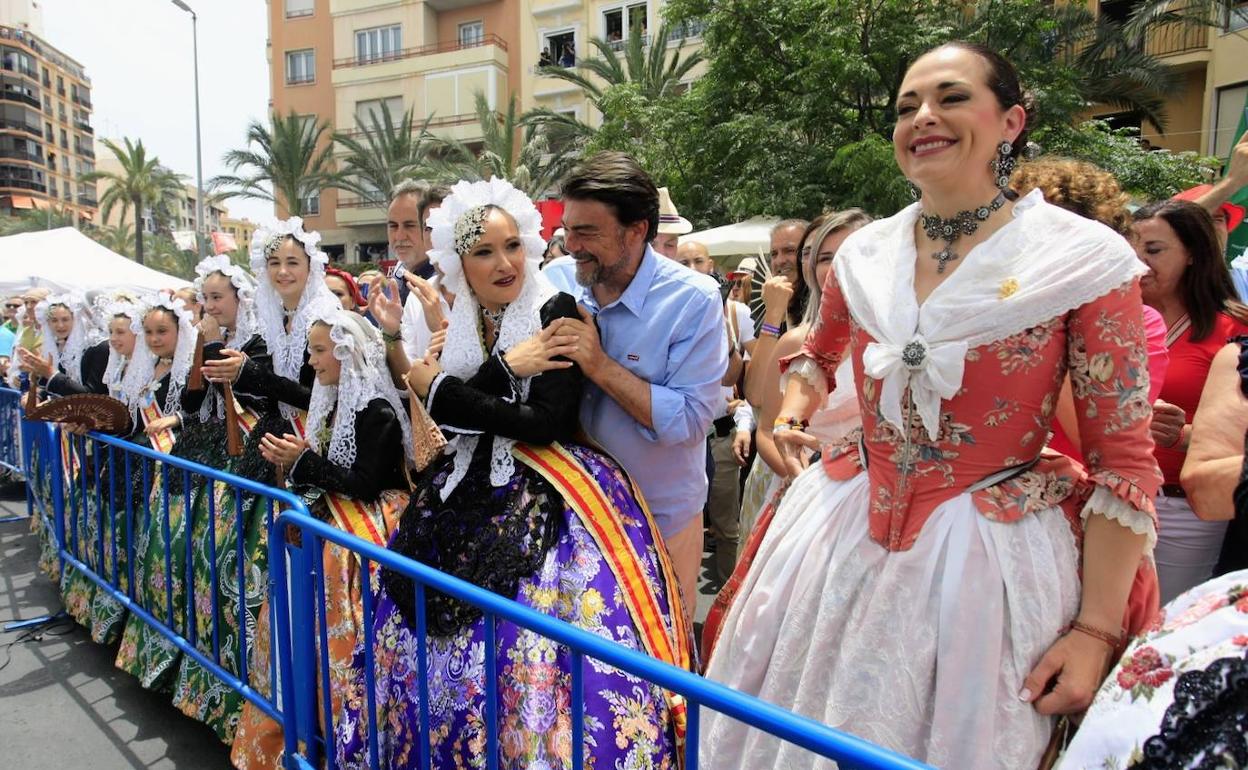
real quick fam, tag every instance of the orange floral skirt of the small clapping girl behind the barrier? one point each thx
(259, 742)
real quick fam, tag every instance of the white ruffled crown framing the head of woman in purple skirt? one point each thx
(457, 225)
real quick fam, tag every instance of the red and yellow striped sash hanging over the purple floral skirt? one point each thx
(580, 489)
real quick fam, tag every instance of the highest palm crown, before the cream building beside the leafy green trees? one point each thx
(643, 64)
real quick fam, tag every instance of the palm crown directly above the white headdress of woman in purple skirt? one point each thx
(524, 153)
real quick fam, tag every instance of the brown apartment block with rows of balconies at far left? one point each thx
(47, 139)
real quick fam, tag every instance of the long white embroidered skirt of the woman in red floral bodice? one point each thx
(922, 651)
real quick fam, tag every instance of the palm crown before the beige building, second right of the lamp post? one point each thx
(383, 154)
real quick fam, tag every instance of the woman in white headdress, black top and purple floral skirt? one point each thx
(496, 510)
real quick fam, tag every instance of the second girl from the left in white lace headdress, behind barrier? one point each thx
(78, 591)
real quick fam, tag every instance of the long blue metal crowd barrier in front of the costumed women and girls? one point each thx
(298, 605)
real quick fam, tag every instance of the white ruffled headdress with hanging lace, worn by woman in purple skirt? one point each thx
(457, 228)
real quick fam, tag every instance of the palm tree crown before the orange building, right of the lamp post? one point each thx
(283, 164)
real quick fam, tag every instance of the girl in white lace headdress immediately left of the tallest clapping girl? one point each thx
(227, 294)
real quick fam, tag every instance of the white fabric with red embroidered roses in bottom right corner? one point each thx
(1202, 626)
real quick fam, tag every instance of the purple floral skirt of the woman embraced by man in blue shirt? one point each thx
(627, 721)
